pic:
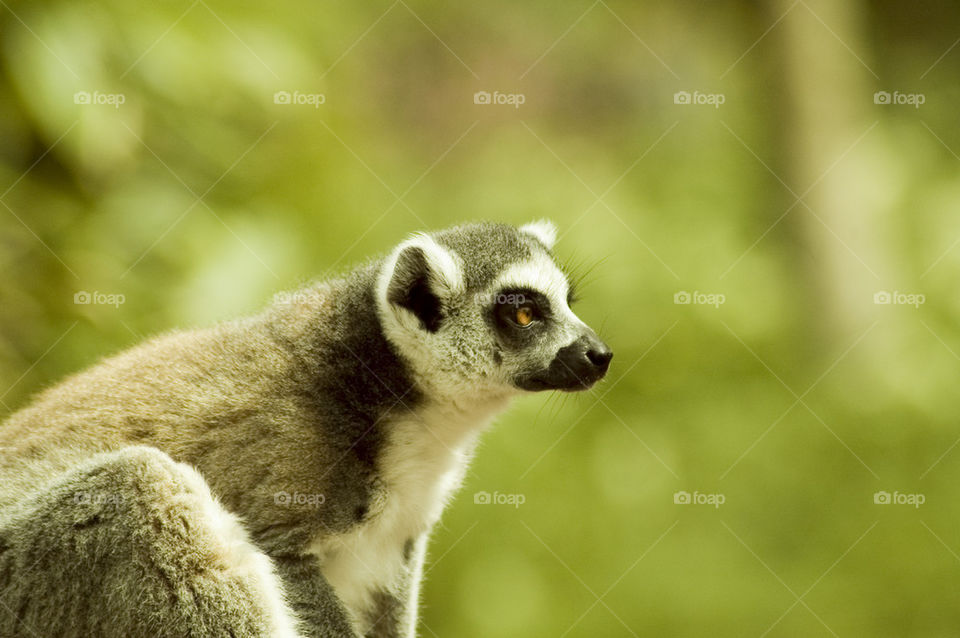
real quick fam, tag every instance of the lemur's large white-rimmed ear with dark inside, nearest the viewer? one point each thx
(424, 274)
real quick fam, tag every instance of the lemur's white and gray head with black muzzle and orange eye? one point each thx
(484, 308)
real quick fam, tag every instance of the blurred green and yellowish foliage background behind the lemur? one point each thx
(146, 153)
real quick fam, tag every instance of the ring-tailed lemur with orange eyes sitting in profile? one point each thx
(278, 475)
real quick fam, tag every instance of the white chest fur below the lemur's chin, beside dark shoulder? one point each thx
(422, 464)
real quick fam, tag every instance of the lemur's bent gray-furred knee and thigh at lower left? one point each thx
(120, 546)
